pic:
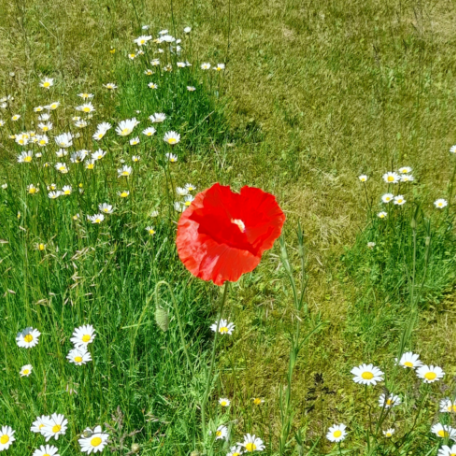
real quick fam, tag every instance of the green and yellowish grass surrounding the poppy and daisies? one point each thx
(313, 96)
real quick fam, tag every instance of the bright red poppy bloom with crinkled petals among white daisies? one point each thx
(223, 234)
